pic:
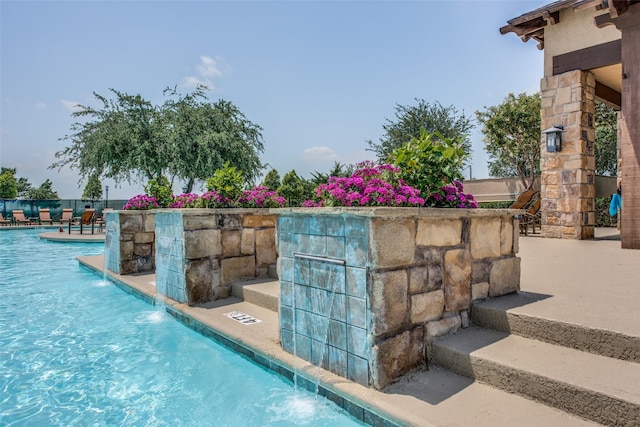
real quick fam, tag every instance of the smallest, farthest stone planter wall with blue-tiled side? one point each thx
(130, 242)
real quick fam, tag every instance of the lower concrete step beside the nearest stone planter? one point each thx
(597, 388)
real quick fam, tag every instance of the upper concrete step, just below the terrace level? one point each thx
(499, 314)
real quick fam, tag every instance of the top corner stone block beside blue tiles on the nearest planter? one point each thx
(392, 242)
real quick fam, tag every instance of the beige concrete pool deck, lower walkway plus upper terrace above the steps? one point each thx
(588, 283)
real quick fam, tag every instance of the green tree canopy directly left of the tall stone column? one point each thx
(512, 137)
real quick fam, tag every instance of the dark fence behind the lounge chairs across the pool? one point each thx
(31, 208)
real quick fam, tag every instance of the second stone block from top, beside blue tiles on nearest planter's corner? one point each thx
(389, 301)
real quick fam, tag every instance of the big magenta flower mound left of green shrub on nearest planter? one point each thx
(370, 185)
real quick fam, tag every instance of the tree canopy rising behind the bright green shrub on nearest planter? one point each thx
(411, 119)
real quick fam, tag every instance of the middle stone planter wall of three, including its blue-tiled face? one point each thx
(201, 252)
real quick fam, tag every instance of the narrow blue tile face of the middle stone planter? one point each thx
(170, 280)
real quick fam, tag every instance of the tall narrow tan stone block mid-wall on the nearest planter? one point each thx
(457, 279)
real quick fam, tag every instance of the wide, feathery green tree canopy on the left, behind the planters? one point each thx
(186, 137)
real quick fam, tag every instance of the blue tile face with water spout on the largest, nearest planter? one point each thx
(323, 305)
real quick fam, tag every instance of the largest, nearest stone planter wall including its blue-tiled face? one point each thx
(392, 279)
